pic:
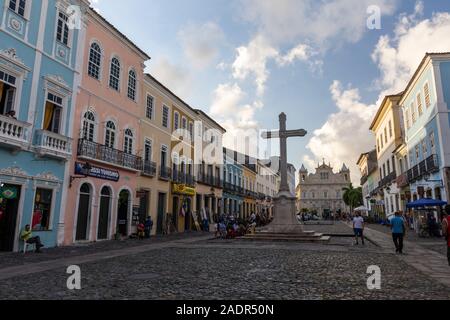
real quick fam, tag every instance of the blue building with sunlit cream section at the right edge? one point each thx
(425, 104)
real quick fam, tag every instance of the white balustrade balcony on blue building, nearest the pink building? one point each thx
(53, 145)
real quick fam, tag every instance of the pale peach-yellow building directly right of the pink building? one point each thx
(155, 128)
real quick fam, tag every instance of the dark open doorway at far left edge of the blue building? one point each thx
(9, 208)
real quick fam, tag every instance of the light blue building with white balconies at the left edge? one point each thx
(39, 59)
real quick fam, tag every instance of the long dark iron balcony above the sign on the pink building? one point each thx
(97, 152)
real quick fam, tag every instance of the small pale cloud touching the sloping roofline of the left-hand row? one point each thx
(177, 78)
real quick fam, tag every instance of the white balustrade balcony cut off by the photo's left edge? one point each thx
(13, 133)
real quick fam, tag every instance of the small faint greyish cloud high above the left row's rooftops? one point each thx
(201, 43)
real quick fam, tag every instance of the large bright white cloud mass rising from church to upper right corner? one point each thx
(346, 135)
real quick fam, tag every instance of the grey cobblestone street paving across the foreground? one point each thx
(198, 267)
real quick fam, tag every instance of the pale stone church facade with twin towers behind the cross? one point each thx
(321, 192)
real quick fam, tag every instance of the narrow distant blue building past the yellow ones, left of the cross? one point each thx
(233, 191)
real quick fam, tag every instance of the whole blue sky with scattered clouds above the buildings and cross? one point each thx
(245, 61)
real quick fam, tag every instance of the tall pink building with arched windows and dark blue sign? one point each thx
(106, 162)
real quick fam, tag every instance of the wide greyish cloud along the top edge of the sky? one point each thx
(322, 22)
